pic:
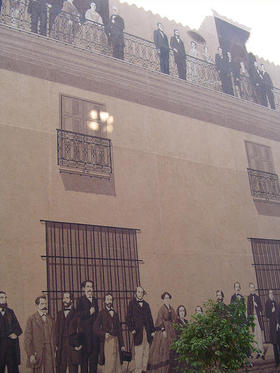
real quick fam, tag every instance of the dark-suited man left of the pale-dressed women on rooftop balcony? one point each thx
(38, 13)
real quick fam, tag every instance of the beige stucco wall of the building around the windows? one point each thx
(183, 182)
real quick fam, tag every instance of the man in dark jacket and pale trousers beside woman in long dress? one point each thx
(140, 323)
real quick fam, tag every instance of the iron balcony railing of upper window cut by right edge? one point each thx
(264, 185)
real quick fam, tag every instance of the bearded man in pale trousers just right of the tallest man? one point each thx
(107, 326)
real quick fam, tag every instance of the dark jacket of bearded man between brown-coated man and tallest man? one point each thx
(62, 333)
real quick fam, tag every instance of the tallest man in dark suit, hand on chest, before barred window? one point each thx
(87, 308)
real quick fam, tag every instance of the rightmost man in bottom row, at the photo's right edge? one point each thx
(272, 313)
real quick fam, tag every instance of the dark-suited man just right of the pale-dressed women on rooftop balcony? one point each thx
(115, 34)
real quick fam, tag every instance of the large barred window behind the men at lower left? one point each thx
(106, 255)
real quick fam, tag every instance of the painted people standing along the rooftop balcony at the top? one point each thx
(69, 22)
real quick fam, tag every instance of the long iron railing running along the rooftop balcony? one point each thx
(88, 35)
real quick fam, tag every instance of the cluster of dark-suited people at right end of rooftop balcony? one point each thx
(230, 71)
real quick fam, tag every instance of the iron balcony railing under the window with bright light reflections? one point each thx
(84, 154)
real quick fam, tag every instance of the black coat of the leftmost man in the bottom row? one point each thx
(8, 325)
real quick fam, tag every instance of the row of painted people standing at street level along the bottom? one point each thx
(84, 336)
